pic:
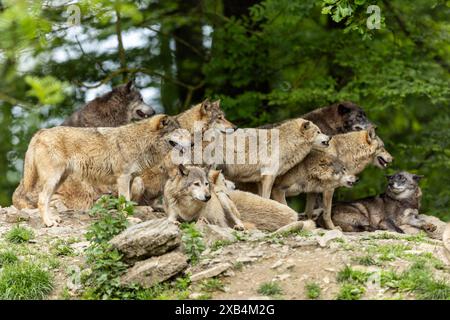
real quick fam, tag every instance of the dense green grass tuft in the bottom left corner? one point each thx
(24, 281)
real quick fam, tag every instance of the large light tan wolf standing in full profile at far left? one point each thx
(98, 155)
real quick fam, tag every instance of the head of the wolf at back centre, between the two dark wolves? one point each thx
(214, 117)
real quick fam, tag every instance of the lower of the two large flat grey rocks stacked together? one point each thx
(152, 271)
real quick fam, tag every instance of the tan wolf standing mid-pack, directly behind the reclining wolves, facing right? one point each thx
(297, 138)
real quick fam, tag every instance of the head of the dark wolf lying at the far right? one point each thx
(403, 185)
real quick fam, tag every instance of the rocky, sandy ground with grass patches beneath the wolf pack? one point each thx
(292, 264)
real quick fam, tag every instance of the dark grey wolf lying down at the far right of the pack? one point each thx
(398, 206)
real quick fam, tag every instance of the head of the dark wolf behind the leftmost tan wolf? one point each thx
(136, 108)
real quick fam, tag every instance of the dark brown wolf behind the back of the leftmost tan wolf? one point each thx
(120, 106)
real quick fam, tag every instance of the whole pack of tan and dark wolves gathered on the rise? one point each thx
(116, 144)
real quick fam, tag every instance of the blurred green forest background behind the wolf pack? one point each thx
(267, 61)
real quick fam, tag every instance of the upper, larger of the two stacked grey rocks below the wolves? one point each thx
(147, 239)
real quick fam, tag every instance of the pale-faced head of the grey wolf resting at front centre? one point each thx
(194, 181)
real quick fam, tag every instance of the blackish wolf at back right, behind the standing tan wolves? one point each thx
(341, 117)
